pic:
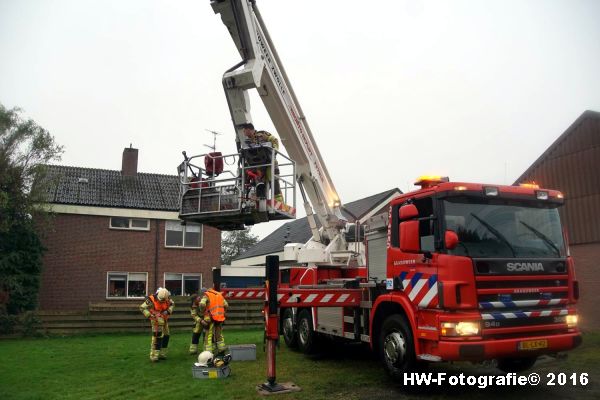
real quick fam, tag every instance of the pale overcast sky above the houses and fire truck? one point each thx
(475, 90)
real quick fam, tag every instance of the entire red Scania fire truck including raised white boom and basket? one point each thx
(452, 271)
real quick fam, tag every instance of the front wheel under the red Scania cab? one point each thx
(396, 347)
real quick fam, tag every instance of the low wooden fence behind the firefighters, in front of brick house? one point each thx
(126, 317)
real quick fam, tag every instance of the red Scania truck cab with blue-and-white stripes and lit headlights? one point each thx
(476, 272)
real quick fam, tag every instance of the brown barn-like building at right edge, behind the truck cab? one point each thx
(571, 165)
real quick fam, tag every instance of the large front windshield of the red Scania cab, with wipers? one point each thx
(502, 228)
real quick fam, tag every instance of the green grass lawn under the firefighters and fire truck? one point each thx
(116, 366)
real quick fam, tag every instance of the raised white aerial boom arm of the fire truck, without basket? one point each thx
(261, 69)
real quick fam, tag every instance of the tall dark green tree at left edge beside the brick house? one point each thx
(25, 148)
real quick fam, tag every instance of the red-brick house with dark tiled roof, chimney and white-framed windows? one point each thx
(115, 236)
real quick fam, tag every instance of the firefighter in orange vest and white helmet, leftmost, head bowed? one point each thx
(157, 308)
